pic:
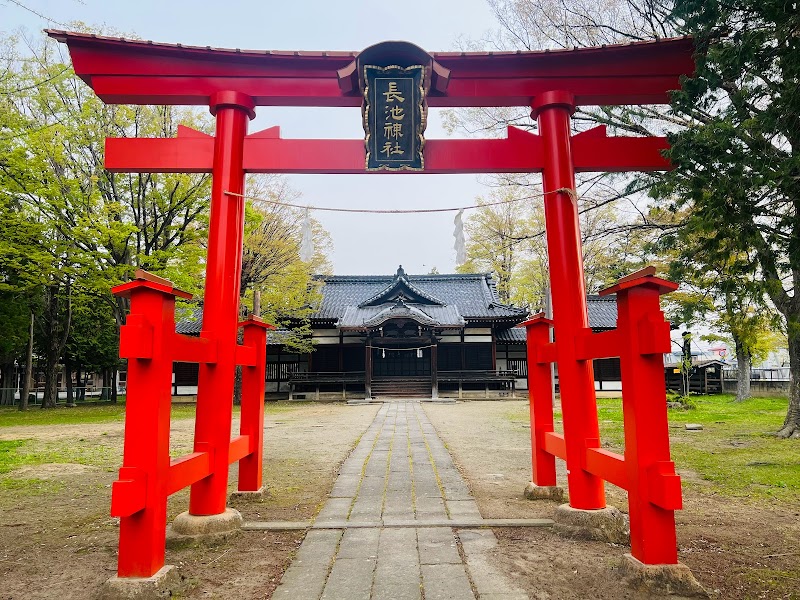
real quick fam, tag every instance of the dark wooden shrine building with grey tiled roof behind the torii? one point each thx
(434, 336)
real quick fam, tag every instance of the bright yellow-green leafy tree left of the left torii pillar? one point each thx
(99, 225)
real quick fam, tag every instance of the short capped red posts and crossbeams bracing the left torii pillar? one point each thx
(148, 476)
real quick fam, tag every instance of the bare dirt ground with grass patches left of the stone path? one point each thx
(57, 540)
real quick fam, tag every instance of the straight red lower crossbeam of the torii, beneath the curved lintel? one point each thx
(266, 152)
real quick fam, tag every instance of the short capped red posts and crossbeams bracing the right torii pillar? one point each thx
(645, 471)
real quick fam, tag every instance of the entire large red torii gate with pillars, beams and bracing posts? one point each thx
(232, 83)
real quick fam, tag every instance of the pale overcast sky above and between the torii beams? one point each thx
(363, 244)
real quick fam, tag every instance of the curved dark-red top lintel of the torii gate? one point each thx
(135, 72)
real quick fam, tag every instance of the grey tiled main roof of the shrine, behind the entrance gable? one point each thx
(474, 295)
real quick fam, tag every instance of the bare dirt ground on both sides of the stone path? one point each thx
(57, 540)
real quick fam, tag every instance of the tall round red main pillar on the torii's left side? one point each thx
(221, 302)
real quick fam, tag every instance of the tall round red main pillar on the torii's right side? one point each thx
(576, 378)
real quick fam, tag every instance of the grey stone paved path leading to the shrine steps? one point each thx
(389, 538)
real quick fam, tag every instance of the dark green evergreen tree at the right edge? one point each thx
(738, 170)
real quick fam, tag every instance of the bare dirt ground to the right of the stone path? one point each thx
(736, 549)
